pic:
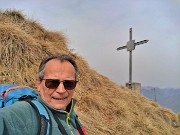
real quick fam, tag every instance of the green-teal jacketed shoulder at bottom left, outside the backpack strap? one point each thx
(19, 118)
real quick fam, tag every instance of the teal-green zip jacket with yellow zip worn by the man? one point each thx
(20, 119)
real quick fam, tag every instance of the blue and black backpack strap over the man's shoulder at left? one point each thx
(45, 126)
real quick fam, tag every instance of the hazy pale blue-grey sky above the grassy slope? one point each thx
(96, 28)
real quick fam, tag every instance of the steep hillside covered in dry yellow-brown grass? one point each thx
(104, 107)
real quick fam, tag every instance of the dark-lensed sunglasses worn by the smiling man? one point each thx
(54, 83)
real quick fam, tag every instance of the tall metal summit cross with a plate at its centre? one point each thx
(130, 47)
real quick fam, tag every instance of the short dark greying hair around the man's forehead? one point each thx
(60, 57)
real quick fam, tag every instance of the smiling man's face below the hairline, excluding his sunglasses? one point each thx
(58, 98)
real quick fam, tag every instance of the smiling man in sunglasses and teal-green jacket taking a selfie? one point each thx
(57, 78)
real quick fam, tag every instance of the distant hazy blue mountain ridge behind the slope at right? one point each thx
(167, 97)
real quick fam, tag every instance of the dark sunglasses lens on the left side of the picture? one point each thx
(51, 83)
